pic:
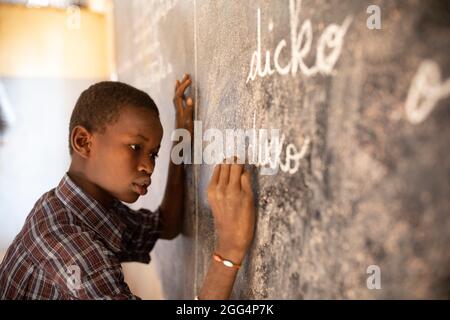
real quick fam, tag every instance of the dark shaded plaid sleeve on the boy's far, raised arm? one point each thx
(143, 229)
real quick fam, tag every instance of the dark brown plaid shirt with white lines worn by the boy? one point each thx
(71, 248)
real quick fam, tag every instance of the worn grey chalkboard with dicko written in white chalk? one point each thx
(366, 109)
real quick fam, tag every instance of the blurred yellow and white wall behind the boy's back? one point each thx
(44, 66)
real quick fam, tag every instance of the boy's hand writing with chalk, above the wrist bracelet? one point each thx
(231, 198)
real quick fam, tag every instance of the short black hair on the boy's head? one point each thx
(100, 105)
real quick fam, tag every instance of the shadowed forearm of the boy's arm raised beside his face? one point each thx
(172, 207)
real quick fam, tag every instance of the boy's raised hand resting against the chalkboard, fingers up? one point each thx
(183, 106)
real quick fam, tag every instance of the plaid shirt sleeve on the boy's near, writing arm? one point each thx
(80, 269)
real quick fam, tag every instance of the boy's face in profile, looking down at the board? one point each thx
(122, 158)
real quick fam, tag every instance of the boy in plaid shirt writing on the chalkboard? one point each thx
(77, 234)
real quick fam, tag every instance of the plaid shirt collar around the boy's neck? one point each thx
(106, 223)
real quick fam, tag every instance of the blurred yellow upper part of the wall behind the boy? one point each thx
(46, 42)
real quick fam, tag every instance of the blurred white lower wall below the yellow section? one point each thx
(34, 155)
